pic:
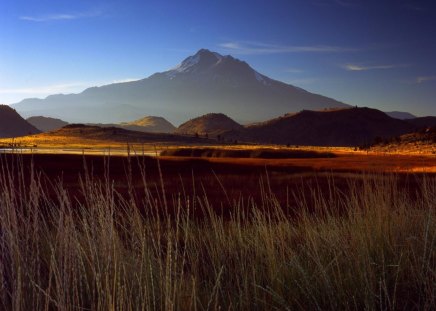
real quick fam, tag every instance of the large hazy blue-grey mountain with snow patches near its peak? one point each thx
(203, 83)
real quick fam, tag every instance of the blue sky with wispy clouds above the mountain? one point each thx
(379, 54)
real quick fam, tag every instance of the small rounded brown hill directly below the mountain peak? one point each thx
(212, 124)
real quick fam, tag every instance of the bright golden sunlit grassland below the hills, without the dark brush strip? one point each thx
(347, 158)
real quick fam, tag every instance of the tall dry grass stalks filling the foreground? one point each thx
(371, 249)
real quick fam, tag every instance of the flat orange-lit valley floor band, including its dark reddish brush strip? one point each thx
(343, 159)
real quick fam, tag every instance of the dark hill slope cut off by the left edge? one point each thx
(13, 125)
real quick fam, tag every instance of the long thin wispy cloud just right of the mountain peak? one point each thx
(263, 48)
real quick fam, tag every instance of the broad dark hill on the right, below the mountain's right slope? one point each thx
(346, 127)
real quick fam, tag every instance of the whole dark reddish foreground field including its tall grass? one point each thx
(132, 233)
